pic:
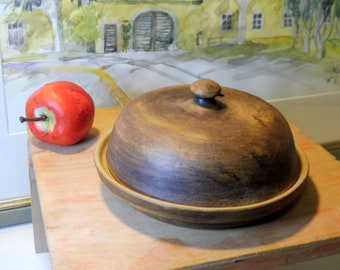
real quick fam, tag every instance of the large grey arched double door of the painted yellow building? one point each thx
(153, 31)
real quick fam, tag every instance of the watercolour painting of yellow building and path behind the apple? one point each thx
(119, 49)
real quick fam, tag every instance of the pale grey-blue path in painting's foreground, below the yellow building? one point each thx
(114, 80)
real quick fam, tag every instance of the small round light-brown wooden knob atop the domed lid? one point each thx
(205, 88)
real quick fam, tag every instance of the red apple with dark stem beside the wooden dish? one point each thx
(60, 113)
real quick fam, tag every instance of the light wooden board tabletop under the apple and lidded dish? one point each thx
(88, 227)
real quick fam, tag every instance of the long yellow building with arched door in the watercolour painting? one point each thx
(152, 25)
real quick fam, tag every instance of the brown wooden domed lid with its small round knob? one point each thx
(203, 145)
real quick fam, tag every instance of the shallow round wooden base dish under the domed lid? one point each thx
(197, 216)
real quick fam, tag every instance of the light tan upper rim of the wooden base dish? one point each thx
(112, 180)
